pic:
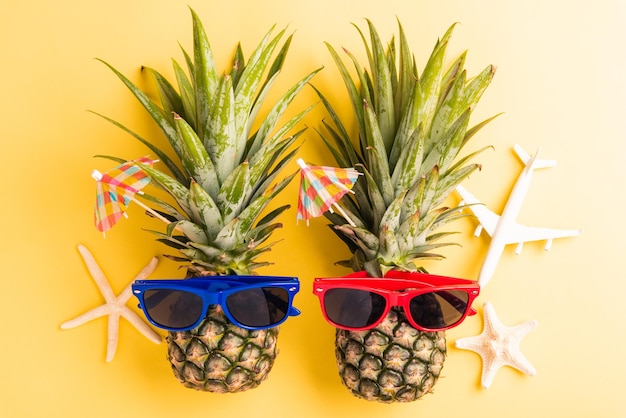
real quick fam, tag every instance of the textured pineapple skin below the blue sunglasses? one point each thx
(220, 357)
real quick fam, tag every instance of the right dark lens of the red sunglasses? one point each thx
(439, 309)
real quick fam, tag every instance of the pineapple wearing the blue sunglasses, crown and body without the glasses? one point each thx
(222, 179)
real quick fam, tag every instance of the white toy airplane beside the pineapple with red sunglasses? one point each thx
(503, 229)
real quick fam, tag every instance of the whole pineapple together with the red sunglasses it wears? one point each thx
(390, 315)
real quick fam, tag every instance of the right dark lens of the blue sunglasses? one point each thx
(260, 307)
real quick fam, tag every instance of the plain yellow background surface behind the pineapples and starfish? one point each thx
(560, 82)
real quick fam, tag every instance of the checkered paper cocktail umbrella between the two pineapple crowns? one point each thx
(321, 188)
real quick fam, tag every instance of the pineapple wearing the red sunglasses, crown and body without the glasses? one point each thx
(411, 128)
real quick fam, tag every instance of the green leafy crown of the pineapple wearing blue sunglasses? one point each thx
(226, 174)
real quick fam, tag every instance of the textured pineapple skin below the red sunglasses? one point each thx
(393, 362)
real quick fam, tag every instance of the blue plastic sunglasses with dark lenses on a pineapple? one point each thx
(250, 302)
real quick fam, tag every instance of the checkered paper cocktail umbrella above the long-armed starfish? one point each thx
(116, 188)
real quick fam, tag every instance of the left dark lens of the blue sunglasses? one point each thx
(172, 308)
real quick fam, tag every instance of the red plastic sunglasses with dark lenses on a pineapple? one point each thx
(432, 303)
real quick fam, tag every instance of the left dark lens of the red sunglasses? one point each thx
(353, 308)
